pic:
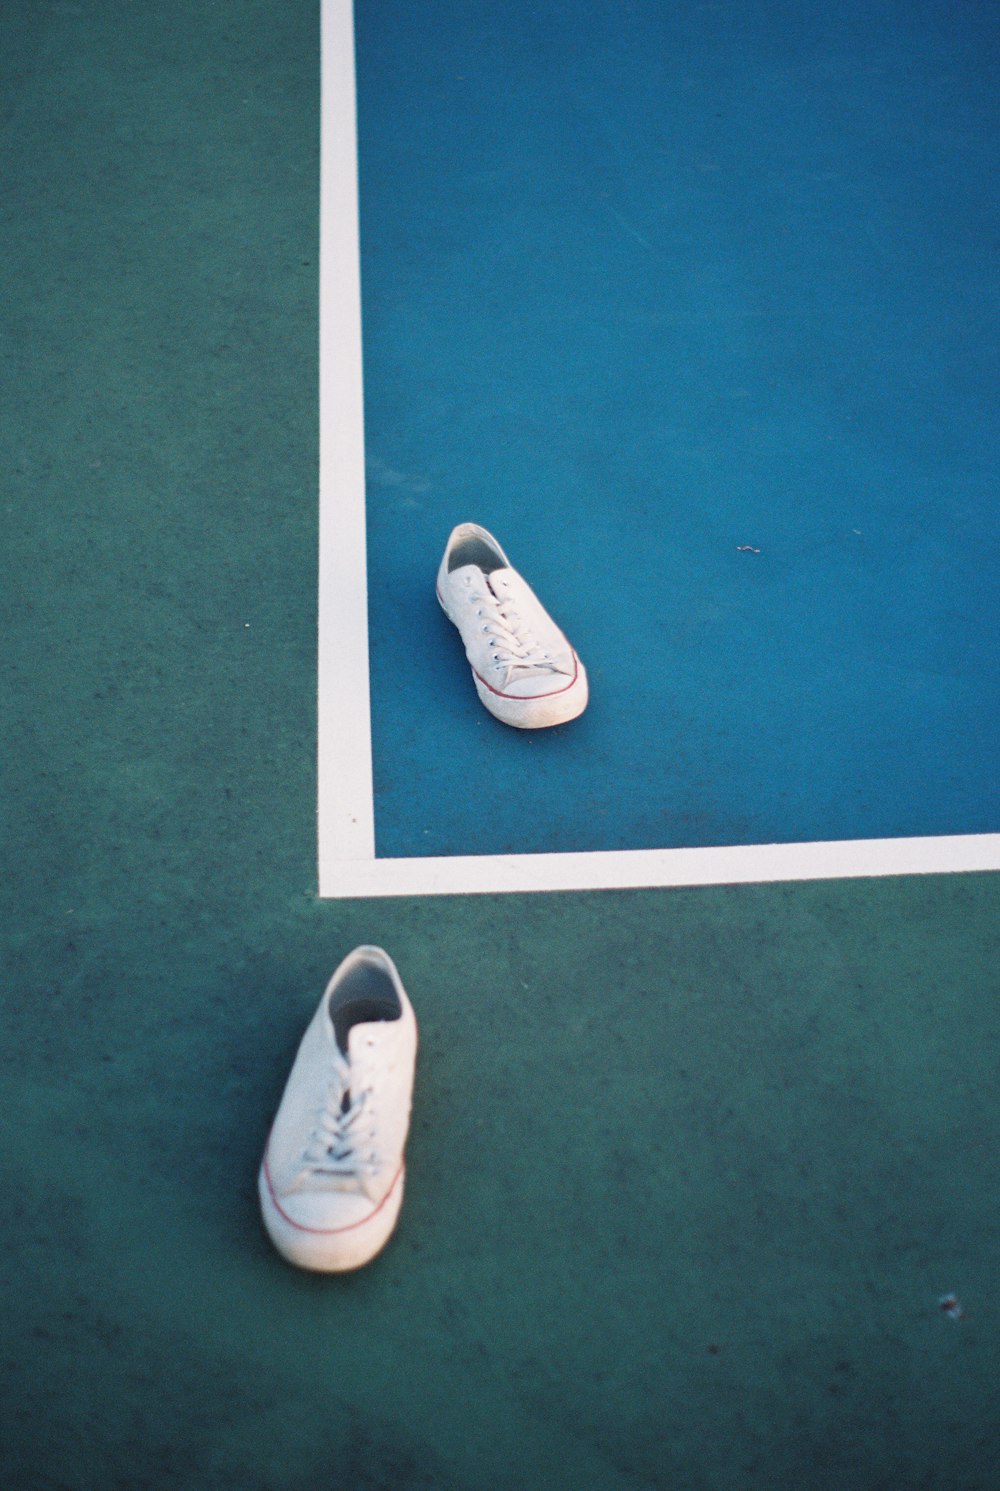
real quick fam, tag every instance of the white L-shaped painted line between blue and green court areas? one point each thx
(348, 866)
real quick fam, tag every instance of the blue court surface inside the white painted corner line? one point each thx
(697, 309)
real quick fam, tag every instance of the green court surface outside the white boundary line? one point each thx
(691, 1170)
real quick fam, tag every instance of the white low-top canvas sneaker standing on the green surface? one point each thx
(333, 1173)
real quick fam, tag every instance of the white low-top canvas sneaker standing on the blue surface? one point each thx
(524, 669)
